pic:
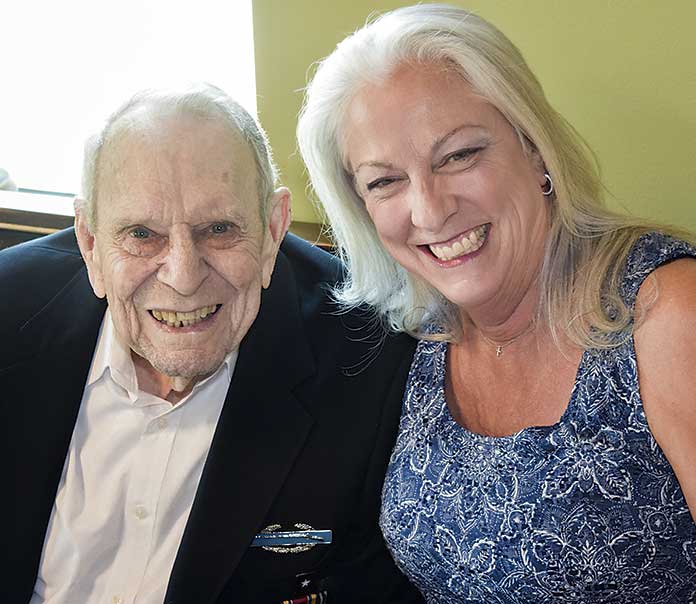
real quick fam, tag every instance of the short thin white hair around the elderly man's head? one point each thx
(202, 100)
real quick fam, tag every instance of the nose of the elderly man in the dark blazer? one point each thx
(184, 268)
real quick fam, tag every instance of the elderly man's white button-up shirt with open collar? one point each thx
(128, 484)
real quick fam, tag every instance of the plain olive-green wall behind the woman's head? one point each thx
(623, 72)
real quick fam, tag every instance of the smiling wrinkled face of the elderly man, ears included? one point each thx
(179, 248)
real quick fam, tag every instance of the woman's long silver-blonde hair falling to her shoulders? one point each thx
(586, 245)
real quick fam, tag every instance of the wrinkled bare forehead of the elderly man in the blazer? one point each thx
(155, 158)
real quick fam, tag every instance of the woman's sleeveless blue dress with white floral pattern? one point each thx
(586, 511)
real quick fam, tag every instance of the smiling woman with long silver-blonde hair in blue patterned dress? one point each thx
(532, 464)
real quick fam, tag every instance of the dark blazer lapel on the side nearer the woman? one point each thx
(260, 432)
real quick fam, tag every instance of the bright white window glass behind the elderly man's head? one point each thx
(66, 65)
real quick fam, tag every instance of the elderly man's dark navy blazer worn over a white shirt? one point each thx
(304, 435)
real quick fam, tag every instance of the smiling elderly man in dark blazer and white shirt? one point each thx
(189, 419)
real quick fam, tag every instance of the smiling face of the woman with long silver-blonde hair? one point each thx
(453, 195)
